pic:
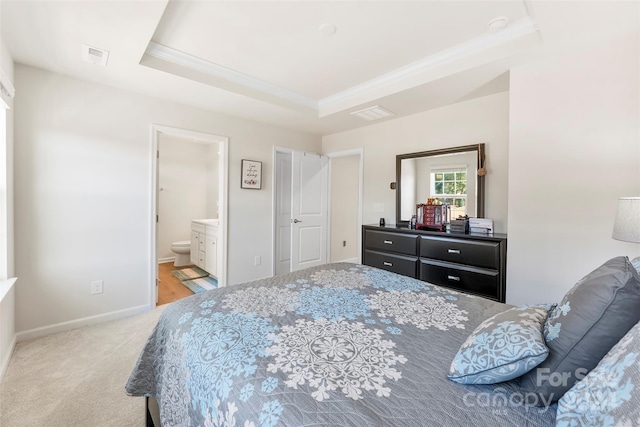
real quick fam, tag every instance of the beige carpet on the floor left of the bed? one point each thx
(77, 377)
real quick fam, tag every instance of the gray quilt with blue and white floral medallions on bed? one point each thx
(336, 345)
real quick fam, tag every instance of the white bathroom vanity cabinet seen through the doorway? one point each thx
(204, 245)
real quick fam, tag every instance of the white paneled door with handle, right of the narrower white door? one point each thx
(309, 210)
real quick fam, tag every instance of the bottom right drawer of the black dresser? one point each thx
(477, 281)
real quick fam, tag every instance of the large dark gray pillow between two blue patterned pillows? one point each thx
(591, 318)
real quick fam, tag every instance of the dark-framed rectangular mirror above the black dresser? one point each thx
(452, 175)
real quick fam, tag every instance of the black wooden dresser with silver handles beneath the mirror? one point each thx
(472, 263)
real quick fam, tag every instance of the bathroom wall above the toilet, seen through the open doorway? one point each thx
(184, 181)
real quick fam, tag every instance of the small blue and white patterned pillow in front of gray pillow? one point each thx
(503, 347)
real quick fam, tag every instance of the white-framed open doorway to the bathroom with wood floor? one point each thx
(189, 183)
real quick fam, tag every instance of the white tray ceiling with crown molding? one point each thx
(277, 61)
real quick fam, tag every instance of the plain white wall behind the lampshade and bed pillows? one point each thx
(574, 149)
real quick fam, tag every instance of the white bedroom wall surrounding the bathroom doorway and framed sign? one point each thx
(82, 176)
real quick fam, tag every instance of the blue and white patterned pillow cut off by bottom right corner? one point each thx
(610, 394)
